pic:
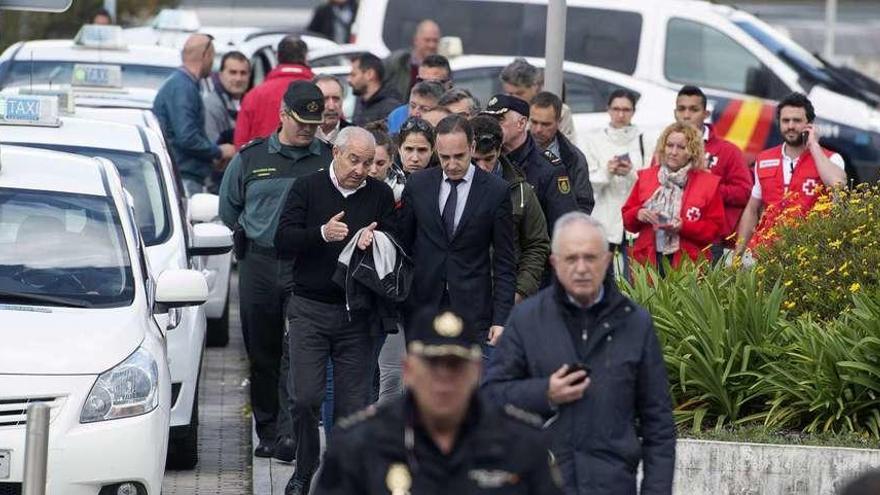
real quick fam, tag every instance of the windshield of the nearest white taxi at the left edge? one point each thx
(62, 249)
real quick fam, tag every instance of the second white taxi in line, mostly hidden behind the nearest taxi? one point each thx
(140, 158)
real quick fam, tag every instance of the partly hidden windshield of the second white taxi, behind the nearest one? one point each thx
(142, 178)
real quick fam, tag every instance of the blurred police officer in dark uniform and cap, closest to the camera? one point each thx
(440, 437)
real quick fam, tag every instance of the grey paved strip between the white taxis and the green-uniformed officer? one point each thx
(224, 429)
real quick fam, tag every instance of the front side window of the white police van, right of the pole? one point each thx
(692, 57)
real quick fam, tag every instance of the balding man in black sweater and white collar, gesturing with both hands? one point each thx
(322, 213)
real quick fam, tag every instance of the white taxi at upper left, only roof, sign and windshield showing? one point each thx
(54, 62)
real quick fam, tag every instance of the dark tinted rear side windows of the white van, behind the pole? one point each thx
(606, 38)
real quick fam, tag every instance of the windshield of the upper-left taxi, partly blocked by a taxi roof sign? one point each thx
(44, 72)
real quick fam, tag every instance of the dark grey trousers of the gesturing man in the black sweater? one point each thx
(318, 331)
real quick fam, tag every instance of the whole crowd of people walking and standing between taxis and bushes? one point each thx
(451, 261)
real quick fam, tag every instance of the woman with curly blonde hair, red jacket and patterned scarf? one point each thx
(675, 207)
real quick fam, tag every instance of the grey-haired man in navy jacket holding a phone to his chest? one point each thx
(586, 359)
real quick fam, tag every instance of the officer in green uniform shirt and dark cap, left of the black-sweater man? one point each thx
(252, 194)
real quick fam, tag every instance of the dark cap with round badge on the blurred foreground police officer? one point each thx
(443, 334)
